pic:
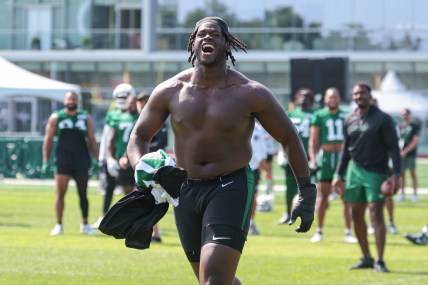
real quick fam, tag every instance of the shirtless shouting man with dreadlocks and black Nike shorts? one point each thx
(212, 111)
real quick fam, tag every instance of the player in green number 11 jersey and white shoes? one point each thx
(325, 143)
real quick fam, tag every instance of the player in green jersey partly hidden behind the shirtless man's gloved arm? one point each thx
(301, 117)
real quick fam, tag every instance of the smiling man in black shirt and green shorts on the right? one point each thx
(370, 140)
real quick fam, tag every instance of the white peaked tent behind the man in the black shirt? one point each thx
(393, 96)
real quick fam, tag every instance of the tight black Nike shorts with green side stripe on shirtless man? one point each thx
(216, 210)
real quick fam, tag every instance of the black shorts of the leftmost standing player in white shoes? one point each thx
(68, 163)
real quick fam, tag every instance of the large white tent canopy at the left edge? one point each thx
(16, 81)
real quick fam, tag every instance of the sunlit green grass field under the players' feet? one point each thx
(29, 255)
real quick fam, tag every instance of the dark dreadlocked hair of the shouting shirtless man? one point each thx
(230, 39)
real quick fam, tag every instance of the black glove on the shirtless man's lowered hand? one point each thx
(305, 206)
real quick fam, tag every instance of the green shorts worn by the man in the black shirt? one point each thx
(363, 186)
